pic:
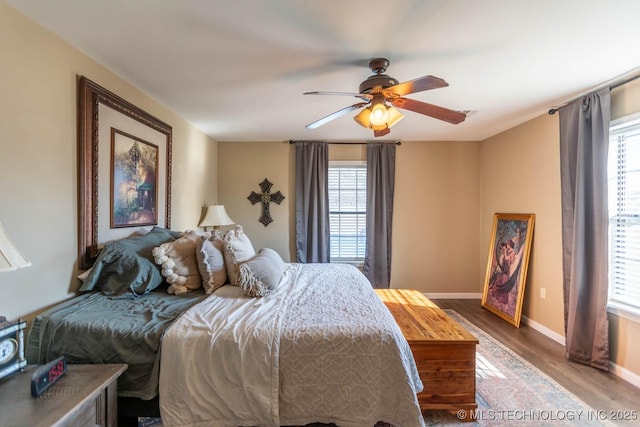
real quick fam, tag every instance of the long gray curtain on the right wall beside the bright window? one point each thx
(584, 143)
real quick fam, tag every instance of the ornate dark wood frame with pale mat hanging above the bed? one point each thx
(100, 110)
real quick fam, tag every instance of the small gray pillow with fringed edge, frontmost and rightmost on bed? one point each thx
(261, 274)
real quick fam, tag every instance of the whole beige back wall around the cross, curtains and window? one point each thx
(436, 207)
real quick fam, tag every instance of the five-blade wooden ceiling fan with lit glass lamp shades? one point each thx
(380, 90)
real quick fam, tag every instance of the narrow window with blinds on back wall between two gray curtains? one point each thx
(347, 210)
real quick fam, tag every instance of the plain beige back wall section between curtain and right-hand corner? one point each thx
(436, 217)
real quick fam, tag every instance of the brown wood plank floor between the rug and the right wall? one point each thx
(600, 390)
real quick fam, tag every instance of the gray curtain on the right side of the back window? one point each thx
(381, 172)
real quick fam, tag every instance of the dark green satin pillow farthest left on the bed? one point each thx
(125, 268)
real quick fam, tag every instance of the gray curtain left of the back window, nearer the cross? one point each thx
(312, 201)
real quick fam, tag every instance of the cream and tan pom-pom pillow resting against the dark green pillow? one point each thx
(179, 265)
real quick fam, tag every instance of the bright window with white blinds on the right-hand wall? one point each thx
(624, 215)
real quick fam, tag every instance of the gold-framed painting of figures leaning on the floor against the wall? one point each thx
(509, 251)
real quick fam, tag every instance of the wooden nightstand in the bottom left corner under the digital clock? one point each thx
(85, 395)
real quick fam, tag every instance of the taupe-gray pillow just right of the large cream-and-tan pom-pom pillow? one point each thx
(210, 258)
